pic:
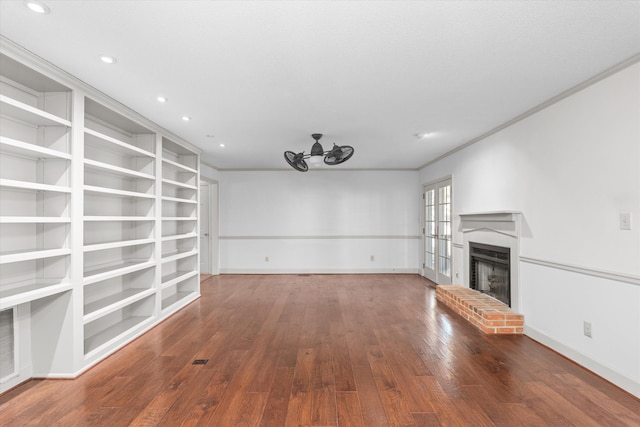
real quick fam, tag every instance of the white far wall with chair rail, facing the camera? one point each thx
(322, 221)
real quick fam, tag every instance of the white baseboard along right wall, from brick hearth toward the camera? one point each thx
(609, 374)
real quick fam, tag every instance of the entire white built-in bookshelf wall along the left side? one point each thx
(98, 221)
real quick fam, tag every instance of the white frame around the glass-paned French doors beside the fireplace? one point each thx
(435, 275)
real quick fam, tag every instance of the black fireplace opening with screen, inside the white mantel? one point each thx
(490, 270)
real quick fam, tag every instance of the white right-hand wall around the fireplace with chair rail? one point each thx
(571, 169)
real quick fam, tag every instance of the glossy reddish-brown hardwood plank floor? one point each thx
(324, 350)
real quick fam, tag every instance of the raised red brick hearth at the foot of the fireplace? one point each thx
(484, 312)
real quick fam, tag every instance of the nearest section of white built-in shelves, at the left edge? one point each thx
(35, 188)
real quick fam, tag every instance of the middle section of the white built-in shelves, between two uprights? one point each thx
(119, 182)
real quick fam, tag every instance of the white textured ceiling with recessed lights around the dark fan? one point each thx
(263, 75)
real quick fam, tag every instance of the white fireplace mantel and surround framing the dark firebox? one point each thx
(498, 228)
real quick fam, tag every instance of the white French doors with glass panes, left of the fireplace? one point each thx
(437, 232)
